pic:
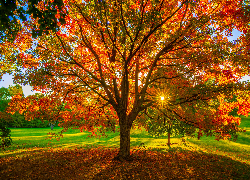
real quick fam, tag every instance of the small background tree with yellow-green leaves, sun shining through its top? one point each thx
(159, 122)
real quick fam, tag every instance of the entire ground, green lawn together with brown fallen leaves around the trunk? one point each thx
(75, 157)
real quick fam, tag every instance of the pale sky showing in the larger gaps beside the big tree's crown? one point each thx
(28, 90)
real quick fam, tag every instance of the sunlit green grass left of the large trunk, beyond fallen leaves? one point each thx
(26, 139)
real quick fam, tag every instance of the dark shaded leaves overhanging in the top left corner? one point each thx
(12, 11)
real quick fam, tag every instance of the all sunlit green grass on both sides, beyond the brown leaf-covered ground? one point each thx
(29, 138)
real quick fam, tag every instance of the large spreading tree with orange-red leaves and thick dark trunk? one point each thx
(105, 64)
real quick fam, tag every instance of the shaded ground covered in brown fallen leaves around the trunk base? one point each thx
(97, 163)
